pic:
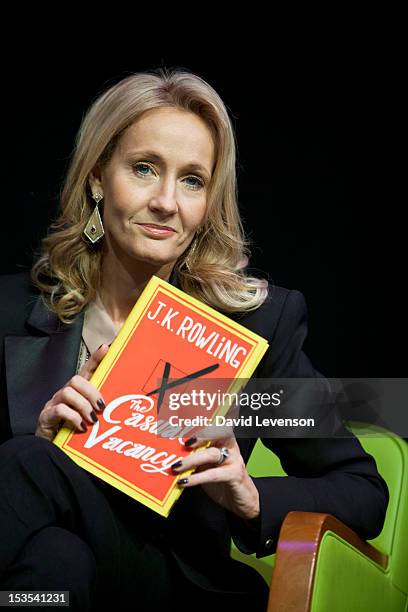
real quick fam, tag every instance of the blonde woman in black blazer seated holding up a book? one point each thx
(151, 189)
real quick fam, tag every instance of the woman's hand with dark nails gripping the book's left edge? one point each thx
(75, 402)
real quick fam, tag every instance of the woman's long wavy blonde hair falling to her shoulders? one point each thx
(212, 269)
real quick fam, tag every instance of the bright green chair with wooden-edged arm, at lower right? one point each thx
(339, 571)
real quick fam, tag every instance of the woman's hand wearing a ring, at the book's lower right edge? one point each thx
(228, 484)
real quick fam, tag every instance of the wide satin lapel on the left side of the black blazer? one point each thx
(39, 364)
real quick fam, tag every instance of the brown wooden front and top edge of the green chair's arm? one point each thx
(296, 555)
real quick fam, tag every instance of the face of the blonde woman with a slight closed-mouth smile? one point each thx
(155, 186)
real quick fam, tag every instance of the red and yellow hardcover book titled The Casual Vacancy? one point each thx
(172, 348)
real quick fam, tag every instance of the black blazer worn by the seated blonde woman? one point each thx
(39, 354)
